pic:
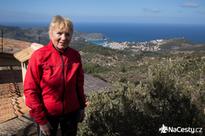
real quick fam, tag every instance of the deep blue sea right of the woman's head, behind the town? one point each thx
(144, 32)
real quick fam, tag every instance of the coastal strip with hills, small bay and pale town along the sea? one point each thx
(144, 46)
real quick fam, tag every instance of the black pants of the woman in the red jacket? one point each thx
(68, 124)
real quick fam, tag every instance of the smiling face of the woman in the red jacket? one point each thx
(60, 38)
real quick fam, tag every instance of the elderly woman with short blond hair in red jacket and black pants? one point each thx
(53, 85)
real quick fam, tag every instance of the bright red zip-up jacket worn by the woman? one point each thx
(54, 83)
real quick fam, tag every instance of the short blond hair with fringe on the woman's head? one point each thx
(61, 23)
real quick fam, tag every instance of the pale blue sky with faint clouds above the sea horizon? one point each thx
(121, 11)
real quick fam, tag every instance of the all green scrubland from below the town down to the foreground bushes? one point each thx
(149, 89)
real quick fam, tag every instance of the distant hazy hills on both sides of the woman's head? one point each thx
(40, 34)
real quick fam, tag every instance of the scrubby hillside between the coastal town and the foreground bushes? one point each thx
(125, 65)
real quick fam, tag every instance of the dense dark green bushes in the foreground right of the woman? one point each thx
(172, 93)
